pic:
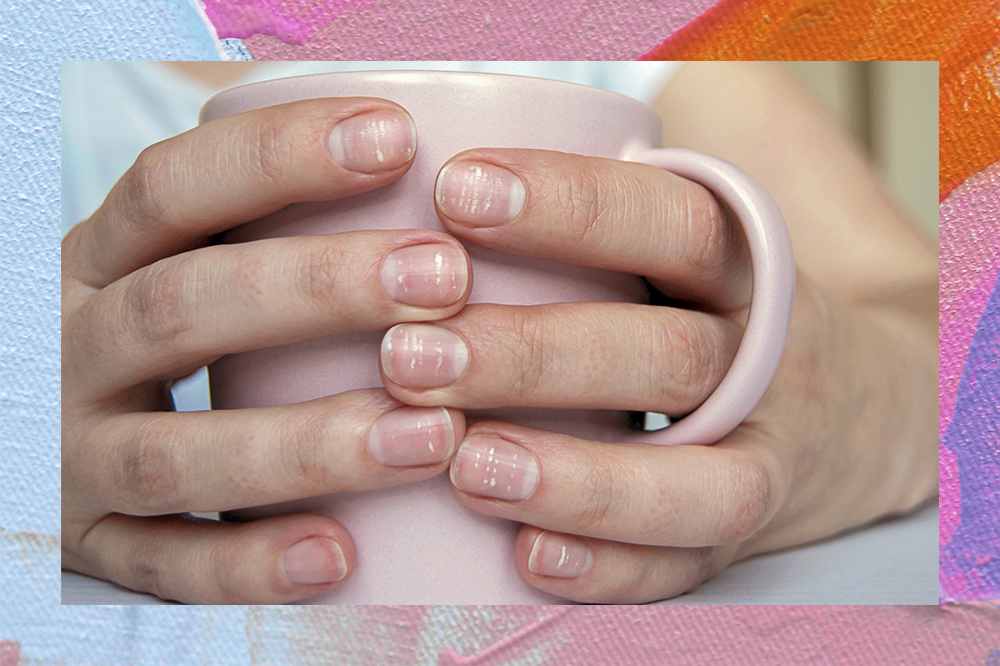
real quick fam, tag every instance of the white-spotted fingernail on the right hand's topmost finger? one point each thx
(479, 194)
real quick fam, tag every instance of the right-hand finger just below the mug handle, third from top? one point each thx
(684, 496)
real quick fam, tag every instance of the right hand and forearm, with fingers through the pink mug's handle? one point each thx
(846, 432)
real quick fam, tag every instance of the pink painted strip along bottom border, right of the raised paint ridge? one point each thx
(750, 635)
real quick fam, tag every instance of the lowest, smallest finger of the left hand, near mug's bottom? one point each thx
(272, 561)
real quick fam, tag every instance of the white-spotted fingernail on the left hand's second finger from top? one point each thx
(429, 276)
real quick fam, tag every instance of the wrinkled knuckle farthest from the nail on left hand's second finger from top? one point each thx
(157, 302)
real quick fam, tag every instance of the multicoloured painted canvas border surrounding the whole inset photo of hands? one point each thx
(35, 629)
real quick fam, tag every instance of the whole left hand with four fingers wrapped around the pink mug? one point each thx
(146, 300)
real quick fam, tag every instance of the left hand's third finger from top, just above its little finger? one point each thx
(154, 464)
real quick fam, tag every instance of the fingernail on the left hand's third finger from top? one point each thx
(411, 436)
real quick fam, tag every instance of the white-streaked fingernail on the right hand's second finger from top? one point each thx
(420, 356)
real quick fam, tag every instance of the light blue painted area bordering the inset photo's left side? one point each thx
(34, 38)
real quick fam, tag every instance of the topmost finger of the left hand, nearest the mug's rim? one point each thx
(235, 169)
